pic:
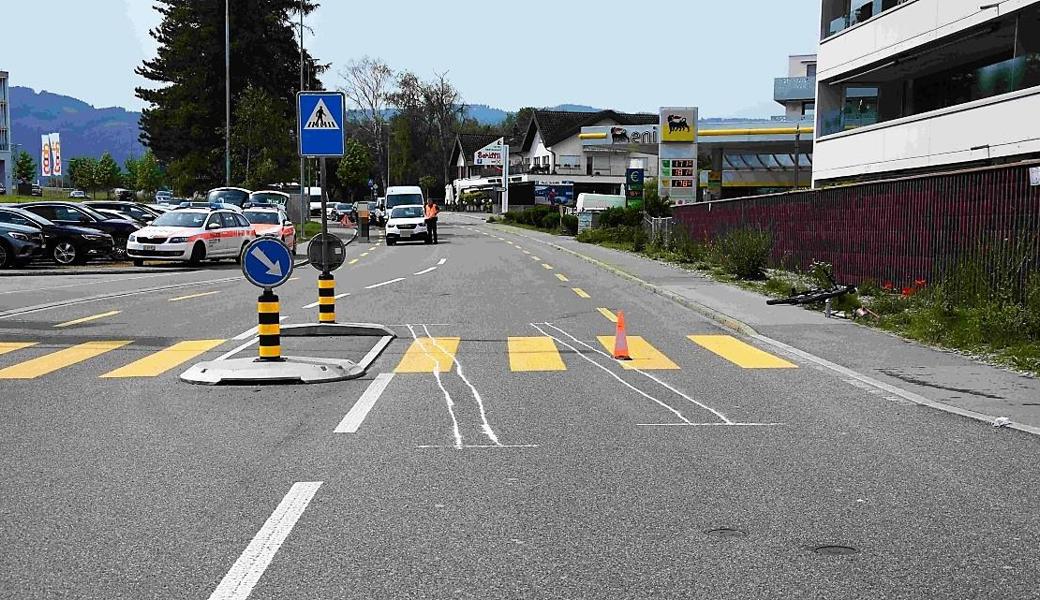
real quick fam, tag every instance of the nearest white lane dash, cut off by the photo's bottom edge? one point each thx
(250, 567)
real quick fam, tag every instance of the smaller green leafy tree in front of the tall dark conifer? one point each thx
(261, 139)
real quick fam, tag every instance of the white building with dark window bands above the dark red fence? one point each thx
(909, 87)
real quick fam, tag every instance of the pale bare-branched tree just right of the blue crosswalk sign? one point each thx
(369, 85)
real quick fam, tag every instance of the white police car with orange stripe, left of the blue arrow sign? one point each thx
(192, 236)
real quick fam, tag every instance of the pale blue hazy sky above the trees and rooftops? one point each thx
(634, 56)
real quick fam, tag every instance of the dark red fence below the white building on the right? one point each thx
(893, 231)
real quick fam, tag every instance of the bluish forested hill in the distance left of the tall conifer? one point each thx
(86, 131)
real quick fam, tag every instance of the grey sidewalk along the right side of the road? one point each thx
(942, 379)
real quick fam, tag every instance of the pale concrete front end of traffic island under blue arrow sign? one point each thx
(290, 371)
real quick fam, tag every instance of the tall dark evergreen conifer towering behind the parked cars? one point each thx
(185, 124)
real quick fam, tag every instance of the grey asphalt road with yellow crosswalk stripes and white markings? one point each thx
(485, 467)
